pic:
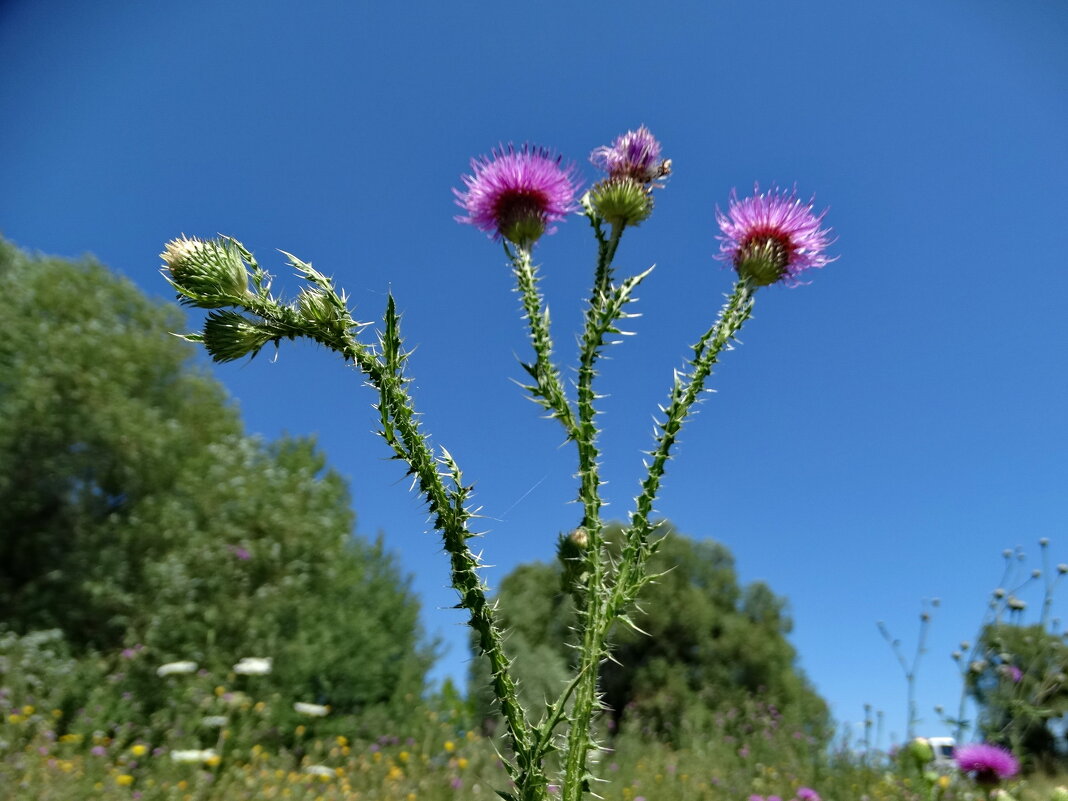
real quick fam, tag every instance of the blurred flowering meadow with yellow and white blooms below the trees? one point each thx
(217, 739)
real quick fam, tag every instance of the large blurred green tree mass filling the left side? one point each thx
(135, 511)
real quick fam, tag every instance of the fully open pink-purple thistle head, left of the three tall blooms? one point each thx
(519, 194)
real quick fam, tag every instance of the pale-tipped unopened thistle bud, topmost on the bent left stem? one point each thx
(209, 274)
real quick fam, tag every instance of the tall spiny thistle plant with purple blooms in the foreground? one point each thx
(516, 196)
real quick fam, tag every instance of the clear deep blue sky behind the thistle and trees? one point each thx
(882, 436)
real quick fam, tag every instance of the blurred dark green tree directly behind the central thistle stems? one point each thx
(711, 646)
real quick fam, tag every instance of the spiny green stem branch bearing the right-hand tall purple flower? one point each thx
(685, 394)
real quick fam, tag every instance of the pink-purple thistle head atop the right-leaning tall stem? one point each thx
(773, 237)
